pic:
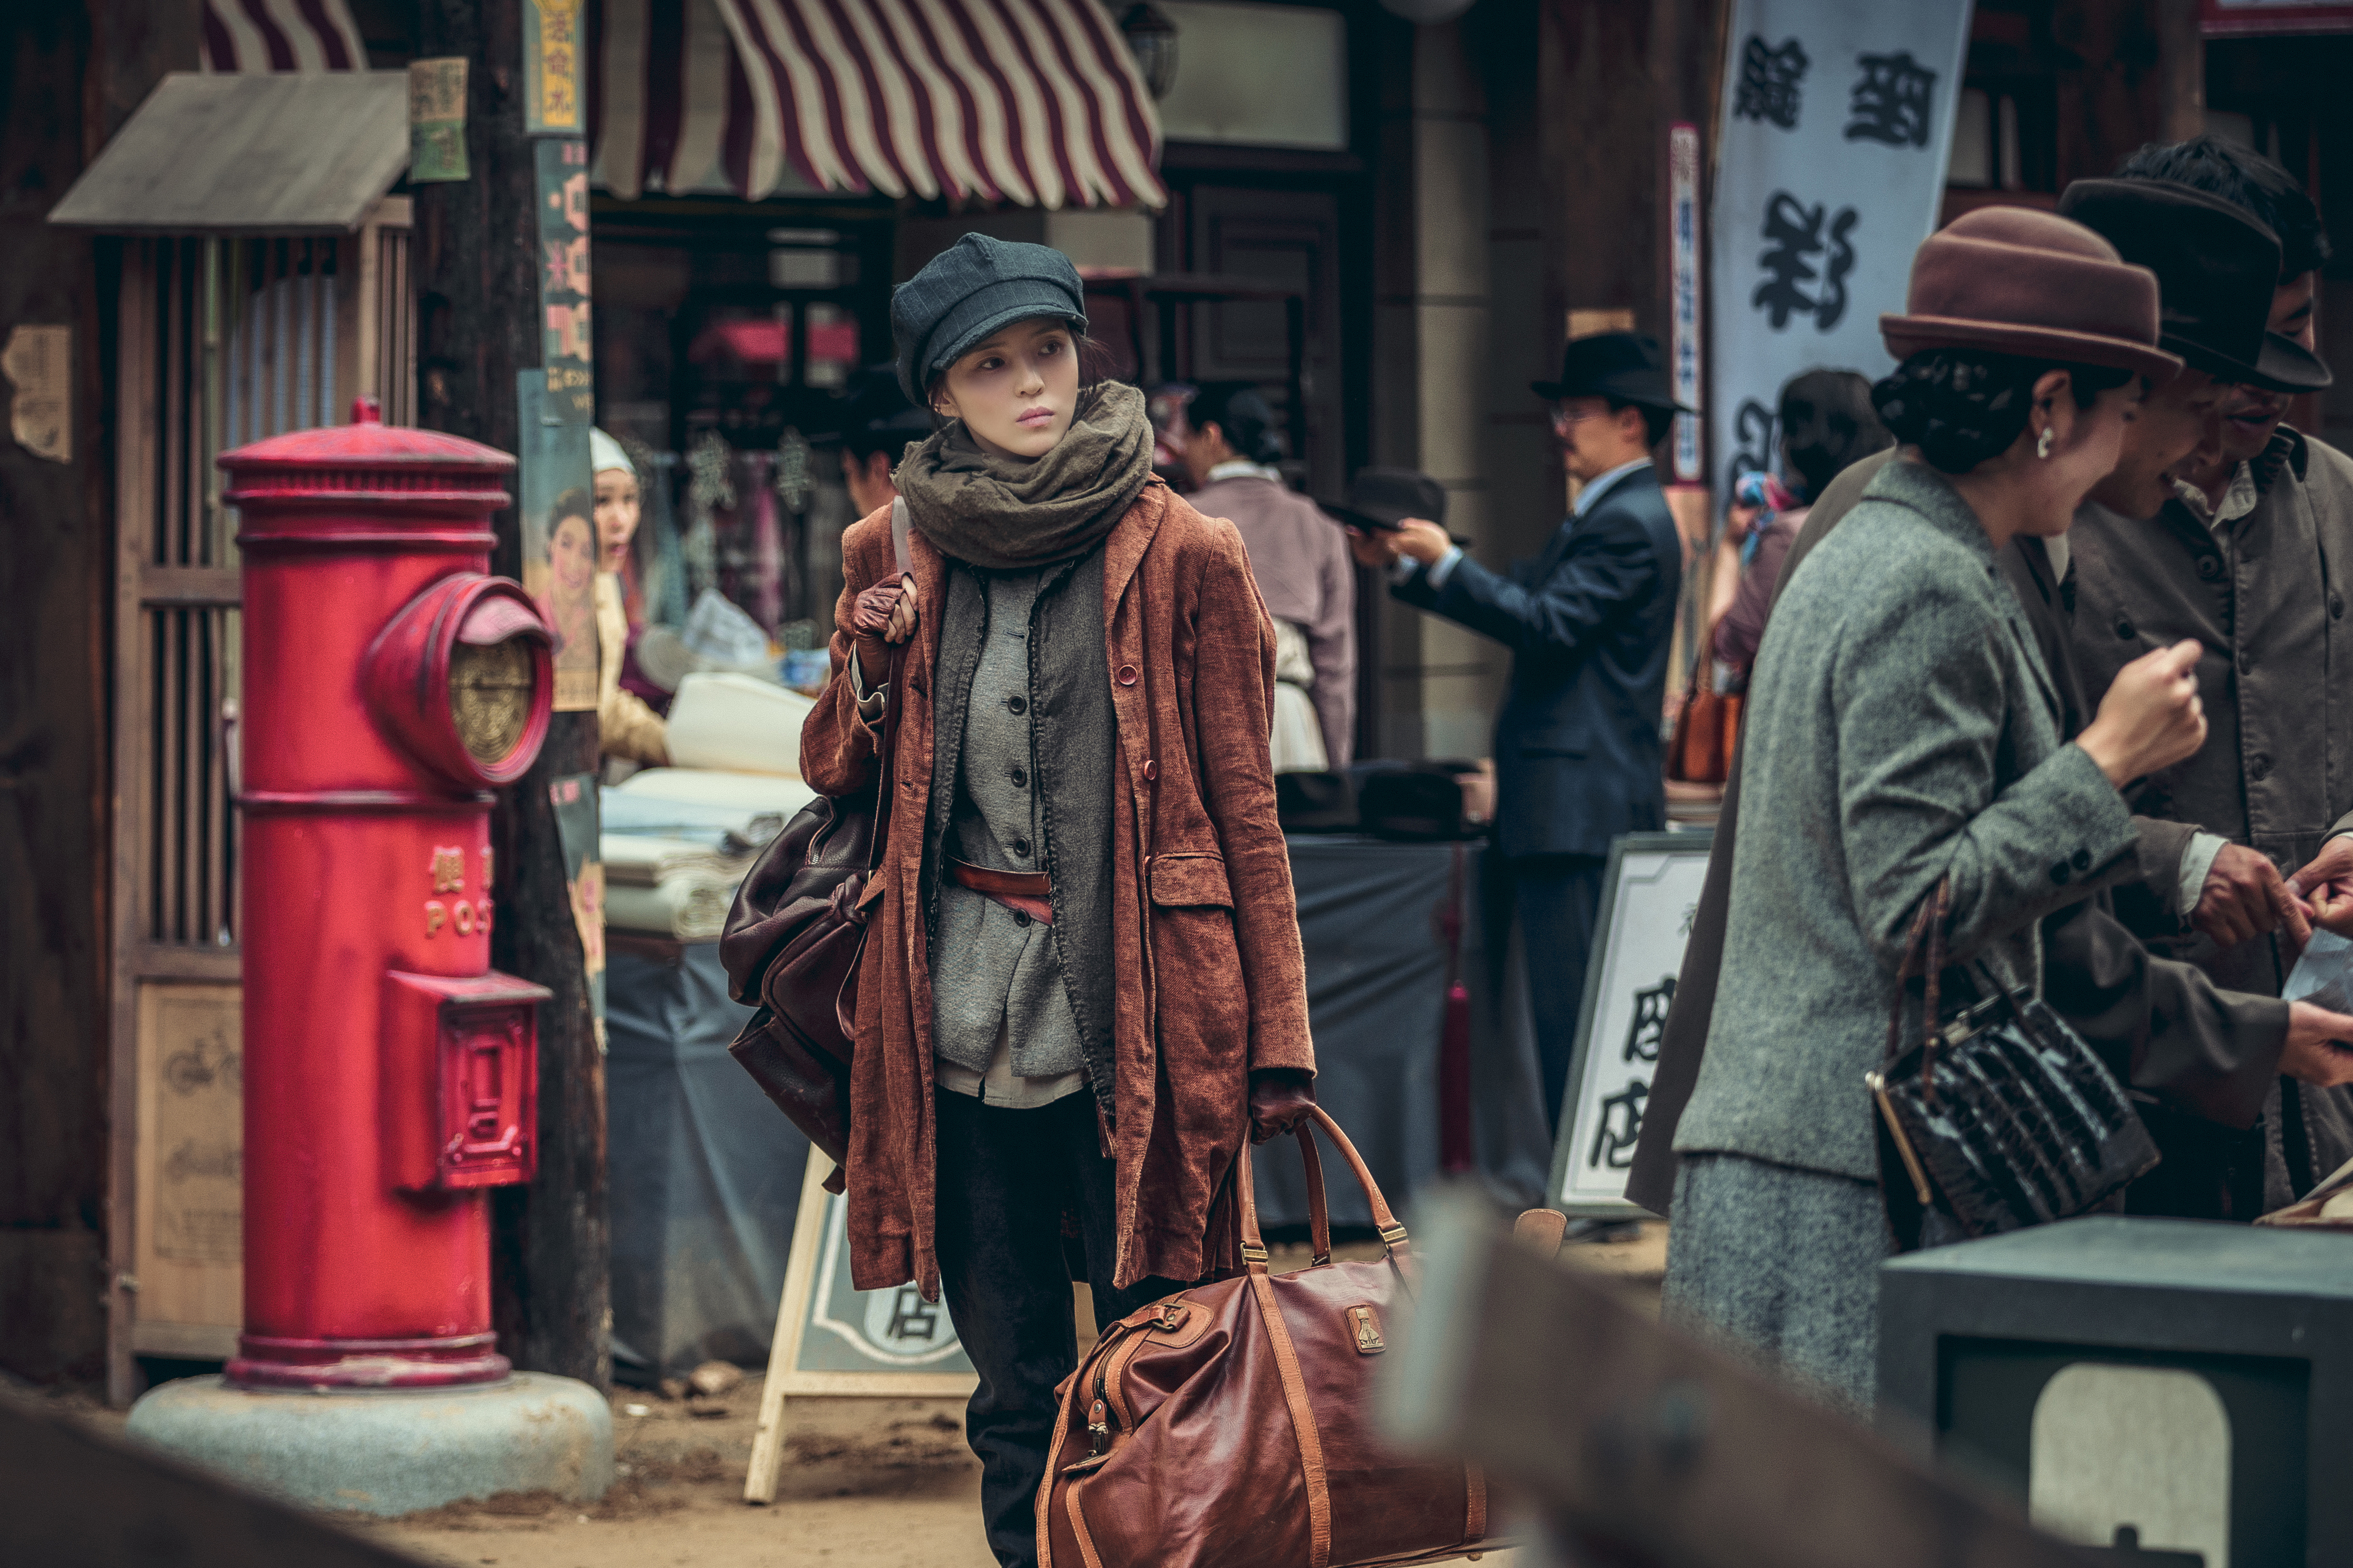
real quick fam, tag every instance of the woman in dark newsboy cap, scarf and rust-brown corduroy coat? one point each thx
(1084, 981)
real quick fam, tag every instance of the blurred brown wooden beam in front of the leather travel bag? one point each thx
(1644, 1449)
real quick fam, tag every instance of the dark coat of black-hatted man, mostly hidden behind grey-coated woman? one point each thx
(2161, 1025)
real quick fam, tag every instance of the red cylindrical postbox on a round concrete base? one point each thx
(389, 1072)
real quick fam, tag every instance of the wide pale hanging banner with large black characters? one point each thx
(1839, 124)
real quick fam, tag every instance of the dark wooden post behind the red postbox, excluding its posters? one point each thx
(476, 255)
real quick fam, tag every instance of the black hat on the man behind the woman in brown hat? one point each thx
(2215, 277)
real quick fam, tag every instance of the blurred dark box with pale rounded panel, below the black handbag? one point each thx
(2178, 1386)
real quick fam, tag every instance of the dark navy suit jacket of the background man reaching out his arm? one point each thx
(1578, 755)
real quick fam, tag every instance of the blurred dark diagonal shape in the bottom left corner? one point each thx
(76, 1499)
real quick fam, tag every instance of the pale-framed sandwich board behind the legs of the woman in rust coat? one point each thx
(834, 1338)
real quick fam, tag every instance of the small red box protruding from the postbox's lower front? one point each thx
(460, 1084)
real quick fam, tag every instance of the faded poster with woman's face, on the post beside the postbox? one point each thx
(559, 540)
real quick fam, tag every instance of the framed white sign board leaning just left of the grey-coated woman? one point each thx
(1648, 905)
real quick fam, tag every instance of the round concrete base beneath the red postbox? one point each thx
(389, 1451)
